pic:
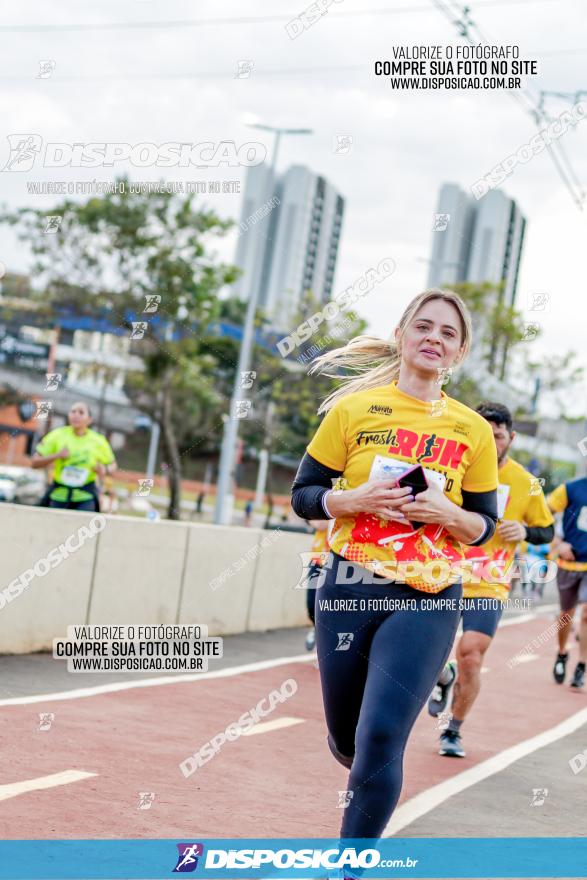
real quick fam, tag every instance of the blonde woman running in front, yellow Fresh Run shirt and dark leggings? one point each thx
(387, 610)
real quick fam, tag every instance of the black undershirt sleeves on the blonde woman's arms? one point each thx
(313, 480)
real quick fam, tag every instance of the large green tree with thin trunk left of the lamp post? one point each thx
(110, 255)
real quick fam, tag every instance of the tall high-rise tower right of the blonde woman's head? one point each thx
(478, 241)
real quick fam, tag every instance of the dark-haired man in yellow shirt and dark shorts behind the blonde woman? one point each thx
(523, 516)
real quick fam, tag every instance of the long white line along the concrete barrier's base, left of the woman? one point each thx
(78, 693)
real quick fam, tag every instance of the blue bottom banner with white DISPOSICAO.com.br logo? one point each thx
(283, 858)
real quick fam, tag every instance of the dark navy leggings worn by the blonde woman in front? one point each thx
(374, 690)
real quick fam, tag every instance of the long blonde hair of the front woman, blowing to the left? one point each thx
(377, 361)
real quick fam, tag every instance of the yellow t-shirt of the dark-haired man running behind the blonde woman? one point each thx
(520, 498)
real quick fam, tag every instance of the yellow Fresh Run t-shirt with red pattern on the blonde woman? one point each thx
(373, 429)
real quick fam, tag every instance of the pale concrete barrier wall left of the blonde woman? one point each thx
(232, 579)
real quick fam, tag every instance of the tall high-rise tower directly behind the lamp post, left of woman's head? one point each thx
(289, 234)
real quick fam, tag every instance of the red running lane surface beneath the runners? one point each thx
(280, 783)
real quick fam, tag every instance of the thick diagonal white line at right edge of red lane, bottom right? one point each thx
(431, 798)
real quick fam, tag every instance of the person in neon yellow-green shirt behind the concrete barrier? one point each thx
(78, 455)
